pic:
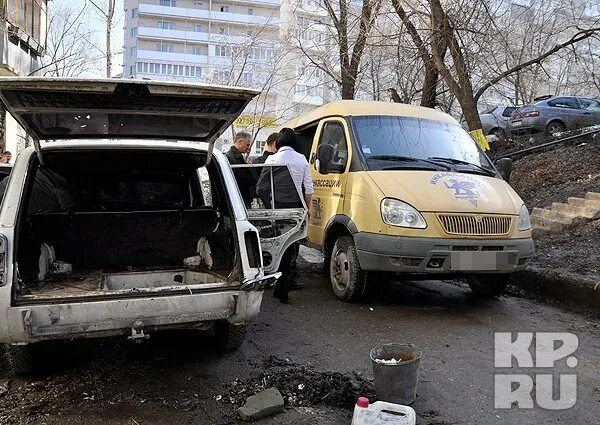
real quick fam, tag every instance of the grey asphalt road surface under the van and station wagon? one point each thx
(180, 377)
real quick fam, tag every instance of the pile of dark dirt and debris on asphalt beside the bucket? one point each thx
(301, 385)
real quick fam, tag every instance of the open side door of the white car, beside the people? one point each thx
(275, 206)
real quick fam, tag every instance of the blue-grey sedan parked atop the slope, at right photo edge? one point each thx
(552, 114)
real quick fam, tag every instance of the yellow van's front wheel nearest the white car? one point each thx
(348, 280)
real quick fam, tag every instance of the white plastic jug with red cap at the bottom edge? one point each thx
(382, 413)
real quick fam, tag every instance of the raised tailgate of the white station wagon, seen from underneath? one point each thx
(61, 108)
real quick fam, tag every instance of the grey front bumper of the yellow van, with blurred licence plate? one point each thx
(435, 255)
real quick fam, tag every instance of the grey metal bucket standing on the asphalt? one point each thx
(396, 381)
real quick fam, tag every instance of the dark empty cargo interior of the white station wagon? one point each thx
(115, 222)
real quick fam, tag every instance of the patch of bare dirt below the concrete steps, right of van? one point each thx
(574, 251)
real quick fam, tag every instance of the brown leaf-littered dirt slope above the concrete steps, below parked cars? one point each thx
(554, 176)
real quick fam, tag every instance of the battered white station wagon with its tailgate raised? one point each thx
(122, 220)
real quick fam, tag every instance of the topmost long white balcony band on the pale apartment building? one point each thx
(182, 12)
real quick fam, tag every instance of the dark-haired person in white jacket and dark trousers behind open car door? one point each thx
(287, 154)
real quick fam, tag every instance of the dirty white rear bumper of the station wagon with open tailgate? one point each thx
(39, 322)
